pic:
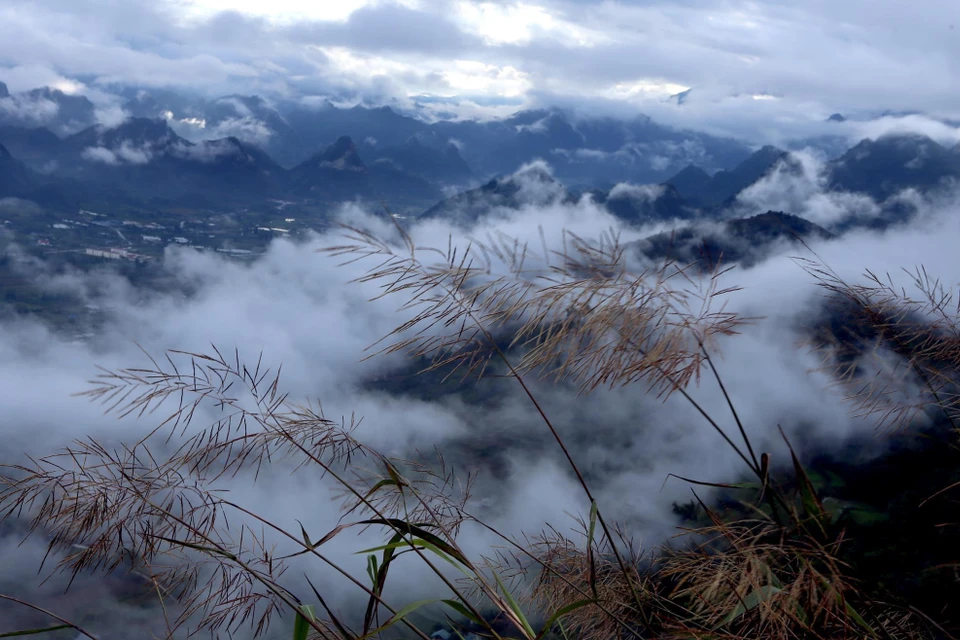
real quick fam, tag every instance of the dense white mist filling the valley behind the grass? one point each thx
(296, 307)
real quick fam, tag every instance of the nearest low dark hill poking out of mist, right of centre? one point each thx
(742, 240)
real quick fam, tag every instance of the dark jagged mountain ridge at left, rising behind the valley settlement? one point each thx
(143, 158)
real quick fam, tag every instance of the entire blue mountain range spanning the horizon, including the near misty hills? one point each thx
(639, 171)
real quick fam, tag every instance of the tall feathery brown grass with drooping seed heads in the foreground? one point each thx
(576, 316)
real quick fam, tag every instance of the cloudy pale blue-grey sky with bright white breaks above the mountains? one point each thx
(776, 63)
